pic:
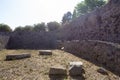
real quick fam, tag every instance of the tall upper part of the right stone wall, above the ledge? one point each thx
(101, 24)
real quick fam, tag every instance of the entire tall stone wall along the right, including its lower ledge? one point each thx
(96, 36)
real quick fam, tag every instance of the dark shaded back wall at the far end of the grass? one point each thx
(32, 40)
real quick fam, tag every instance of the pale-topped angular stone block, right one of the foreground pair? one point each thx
(76, 68)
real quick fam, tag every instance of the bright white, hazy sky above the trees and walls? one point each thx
(28, 12)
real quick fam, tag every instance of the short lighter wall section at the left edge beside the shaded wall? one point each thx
(3, 41)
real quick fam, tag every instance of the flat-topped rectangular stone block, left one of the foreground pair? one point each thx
(58, 70)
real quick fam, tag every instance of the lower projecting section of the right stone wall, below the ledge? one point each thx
(101, 52)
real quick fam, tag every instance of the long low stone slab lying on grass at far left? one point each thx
(17, 56)
